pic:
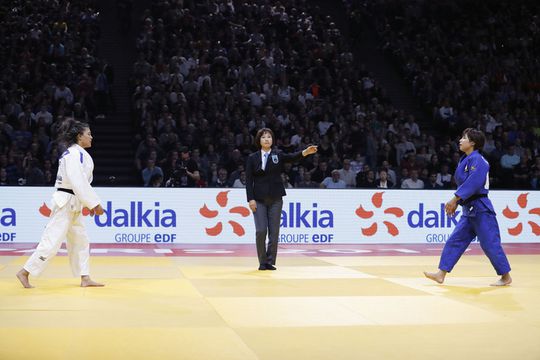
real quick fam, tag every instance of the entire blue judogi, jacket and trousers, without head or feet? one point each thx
(478, 216)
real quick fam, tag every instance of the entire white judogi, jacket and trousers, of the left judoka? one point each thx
(66, 221)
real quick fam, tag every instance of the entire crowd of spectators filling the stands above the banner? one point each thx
(209, 74)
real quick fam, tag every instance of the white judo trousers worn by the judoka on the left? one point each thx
(64, 224)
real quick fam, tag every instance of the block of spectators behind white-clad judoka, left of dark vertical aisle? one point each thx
(49, 72)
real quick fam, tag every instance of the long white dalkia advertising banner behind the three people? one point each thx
(309, 216)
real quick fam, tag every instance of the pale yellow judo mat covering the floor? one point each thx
(208, 308)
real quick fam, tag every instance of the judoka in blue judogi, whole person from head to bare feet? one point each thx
(478, 216)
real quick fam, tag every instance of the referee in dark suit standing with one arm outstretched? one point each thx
(265, 190)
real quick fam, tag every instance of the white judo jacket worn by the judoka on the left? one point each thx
(75, 169)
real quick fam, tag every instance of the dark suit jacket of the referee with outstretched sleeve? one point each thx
(264, 185)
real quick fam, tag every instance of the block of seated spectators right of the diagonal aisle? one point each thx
(473, 64)
